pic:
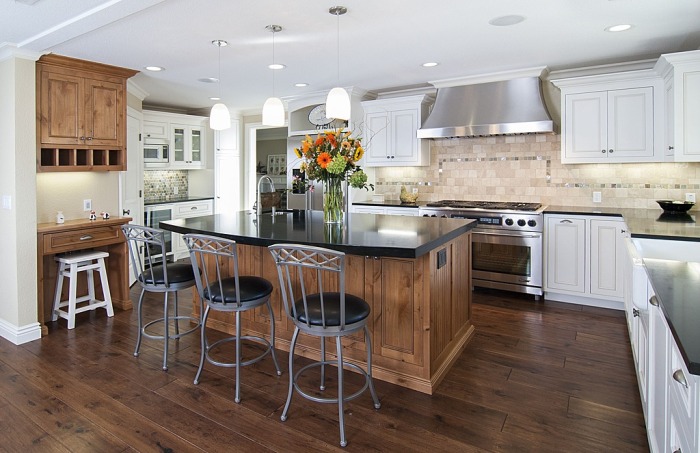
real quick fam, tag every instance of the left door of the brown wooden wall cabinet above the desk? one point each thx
(60, 108)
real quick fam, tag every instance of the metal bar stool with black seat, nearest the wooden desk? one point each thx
(155, 274)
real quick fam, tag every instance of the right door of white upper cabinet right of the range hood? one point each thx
(631, 122)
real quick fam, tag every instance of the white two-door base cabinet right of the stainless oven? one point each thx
(583, 260)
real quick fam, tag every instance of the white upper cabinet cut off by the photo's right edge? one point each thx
(681, 73)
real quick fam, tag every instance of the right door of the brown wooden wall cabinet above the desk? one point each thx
(103, 116)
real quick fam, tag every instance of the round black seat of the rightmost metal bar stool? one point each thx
(356, 309)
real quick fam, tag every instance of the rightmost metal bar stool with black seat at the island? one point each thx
(322, 313)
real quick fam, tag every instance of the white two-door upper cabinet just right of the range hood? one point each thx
(612, 118)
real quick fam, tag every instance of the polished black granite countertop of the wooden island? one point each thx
(364, 234)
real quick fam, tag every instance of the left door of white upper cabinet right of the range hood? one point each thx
(586, 124)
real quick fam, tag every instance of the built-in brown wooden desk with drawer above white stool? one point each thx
(77, 235)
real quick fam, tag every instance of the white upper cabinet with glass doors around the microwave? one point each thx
(186, 137)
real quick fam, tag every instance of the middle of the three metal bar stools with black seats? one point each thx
(223, 289)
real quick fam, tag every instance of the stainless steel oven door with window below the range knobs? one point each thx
(507, 260)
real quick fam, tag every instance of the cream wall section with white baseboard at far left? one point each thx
(18, 247)
